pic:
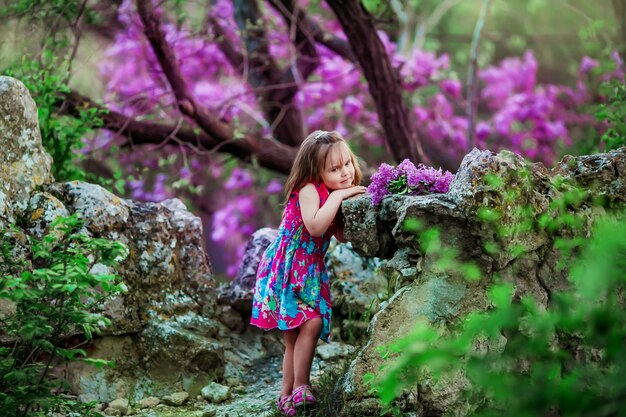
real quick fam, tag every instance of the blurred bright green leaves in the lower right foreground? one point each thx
(568, 359)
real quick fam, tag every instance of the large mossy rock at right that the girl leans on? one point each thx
(495, 200)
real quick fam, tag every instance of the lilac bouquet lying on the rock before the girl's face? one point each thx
(408, 179)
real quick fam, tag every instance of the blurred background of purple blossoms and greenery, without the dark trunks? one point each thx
(542, 72)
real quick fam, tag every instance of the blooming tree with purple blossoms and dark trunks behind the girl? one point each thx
(239, 91)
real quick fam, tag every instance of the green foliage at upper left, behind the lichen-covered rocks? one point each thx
(46, 75)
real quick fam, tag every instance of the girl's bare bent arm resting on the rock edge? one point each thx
(317, 219)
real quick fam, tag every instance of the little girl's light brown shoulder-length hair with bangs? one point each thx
(311, 158)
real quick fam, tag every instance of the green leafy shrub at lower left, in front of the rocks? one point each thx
(52, 299)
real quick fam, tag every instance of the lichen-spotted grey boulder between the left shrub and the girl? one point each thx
(166, 258)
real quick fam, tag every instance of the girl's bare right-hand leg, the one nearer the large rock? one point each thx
(304, 350)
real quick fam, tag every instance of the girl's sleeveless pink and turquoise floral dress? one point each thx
(292, 284)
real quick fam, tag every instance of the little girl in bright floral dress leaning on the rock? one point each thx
(292, 289)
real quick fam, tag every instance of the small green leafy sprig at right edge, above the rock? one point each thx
(613, 112)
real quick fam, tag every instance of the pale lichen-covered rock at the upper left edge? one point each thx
(25, 165)
